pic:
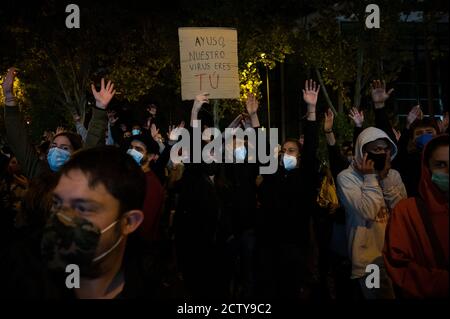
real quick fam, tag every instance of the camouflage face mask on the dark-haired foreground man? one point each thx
(70, 239)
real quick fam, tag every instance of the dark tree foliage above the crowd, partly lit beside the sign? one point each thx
(138, 50)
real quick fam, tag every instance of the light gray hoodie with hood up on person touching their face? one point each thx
(367, 202)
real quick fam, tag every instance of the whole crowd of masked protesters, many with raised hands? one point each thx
(110, 199)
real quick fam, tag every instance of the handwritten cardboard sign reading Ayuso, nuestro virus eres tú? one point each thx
(209, 62)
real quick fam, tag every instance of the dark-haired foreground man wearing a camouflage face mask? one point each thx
(97, 207)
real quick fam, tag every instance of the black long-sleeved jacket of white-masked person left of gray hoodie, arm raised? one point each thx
(287, 197)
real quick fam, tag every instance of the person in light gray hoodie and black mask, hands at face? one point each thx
(369, 189)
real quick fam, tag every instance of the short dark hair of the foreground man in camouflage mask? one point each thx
(117, 171)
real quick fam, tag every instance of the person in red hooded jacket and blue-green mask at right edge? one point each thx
(417, 241)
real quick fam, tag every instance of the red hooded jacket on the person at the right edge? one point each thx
(408, 253)
